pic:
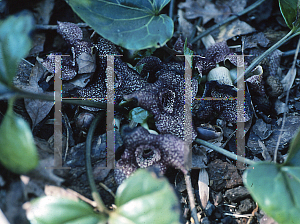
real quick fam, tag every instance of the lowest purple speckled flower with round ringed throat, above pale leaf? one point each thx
(143, 150)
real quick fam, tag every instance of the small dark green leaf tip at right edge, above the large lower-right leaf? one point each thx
(294, 152)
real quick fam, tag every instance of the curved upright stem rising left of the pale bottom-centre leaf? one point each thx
(100, 205)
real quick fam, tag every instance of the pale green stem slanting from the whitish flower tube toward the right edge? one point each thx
(286, 38)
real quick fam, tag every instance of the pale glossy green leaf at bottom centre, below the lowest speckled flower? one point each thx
(145, 198)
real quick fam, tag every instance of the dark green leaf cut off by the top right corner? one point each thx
(289, 10)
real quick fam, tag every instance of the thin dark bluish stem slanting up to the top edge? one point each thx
(231, 18)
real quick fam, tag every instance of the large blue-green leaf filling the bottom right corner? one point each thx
(276, 188)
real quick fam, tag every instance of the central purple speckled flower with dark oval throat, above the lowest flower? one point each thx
(165, 100)
